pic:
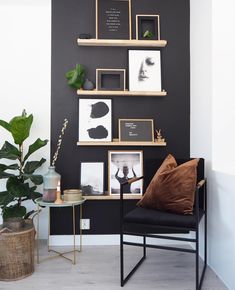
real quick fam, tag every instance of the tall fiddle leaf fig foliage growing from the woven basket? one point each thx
(19, 172)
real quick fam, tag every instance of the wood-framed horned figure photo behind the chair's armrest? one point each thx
(123, 166)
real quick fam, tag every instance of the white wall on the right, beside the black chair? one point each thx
(212, 123)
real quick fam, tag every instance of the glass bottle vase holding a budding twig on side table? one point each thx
(50, 182)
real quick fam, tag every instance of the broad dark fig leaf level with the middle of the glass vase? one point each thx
(16, 187)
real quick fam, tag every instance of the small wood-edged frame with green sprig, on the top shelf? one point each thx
(147, 27)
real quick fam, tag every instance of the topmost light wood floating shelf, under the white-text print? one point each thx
(122, 42)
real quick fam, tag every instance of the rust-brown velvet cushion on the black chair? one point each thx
(172, 187)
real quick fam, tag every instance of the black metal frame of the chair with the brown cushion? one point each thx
(200, 210)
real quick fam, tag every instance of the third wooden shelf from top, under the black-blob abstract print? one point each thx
(115, 142)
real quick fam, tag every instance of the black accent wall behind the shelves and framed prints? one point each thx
(170, 113)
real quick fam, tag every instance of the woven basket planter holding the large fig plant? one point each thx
(17, 252)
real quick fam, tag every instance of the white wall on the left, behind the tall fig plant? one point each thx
(25, 67)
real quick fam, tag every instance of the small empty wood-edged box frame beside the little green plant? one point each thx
(110, 79)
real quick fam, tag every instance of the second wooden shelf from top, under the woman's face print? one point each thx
(120, 93)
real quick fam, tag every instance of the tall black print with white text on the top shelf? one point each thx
(113, 19)
